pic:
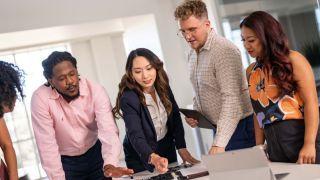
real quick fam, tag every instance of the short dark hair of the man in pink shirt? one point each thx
(55, 58)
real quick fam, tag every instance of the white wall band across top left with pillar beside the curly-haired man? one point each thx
(16, 15)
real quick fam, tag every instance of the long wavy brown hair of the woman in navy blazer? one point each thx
(161, 83)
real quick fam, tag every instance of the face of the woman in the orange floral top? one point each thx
(251, 42)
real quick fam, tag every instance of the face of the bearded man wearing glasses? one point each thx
(195, 31)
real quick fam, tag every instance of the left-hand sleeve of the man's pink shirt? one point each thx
(45, 137)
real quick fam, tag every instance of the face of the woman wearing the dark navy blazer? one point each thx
(144, 73)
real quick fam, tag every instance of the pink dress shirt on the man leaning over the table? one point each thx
(71, 129)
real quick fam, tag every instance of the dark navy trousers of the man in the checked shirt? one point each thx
(243, 136)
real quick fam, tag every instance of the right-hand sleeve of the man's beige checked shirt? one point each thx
(229, 75)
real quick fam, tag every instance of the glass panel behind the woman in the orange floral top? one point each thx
(298, 18)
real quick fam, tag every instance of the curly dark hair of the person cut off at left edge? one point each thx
(11, 82)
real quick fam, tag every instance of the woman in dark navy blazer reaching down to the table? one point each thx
(153, 124)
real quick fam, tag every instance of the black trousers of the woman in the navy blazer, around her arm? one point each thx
(165, 148)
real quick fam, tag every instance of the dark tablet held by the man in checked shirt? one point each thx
(203, 121)
